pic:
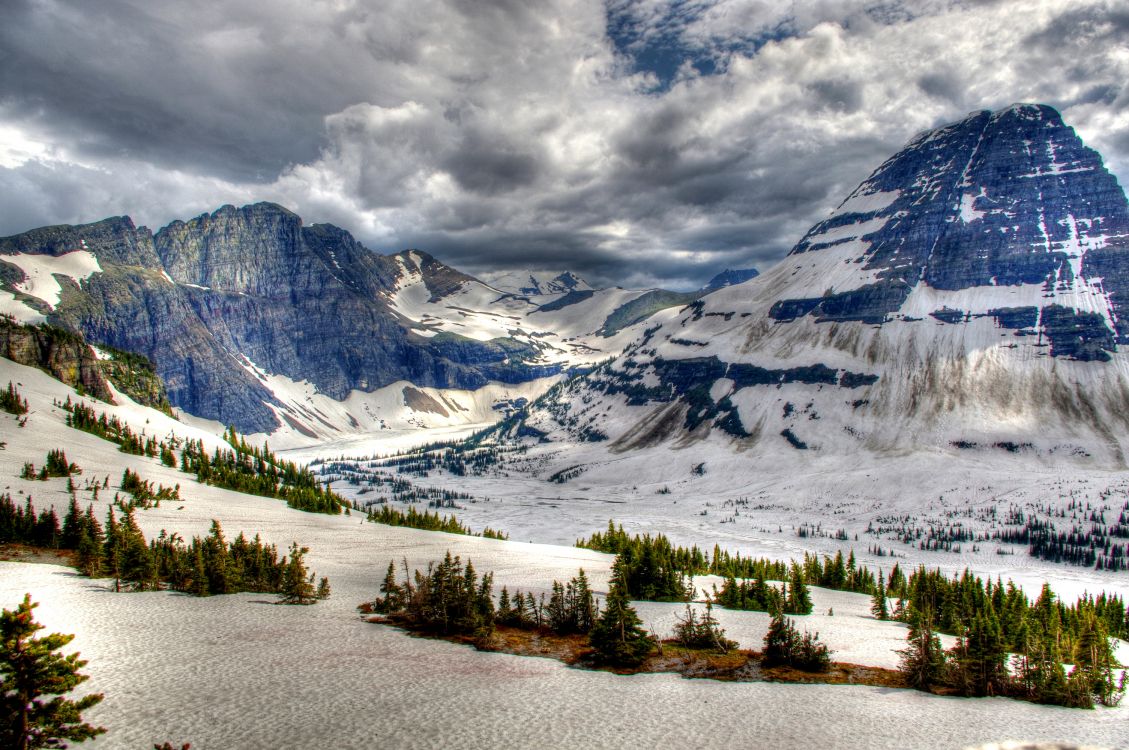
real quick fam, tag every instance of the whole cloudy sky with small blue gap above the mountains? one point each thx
(636, 142)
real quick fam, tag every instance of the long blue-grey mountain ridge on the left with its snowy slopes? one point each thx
(249, 315)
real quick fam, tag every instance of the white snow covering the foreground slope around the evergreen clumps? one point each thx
(241, 673)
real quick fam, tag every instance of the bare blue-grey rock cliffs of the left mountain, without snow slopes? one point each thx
(221, 300)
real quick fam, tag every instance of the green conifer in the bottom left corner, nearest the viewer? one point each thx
(30, 670)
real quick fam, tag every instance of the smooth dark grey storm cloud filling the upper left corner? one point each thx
(125, 79)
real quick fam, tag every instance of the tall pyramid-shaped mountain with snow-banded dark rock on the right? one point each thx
(970, 295)
